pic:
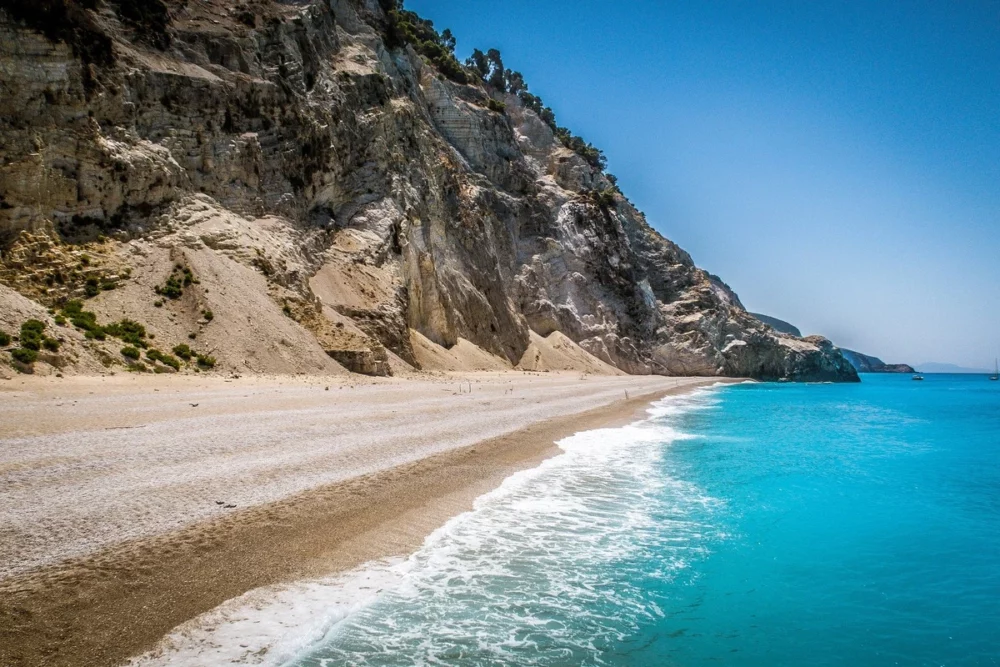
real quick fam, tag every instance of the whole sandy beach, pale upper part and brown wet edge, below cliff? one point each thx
(132, 504)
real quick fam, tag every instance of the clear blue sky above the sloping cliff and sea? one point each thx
(837, 163)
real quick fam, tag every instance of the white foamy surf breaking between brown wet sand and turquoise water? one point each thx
(546, 569)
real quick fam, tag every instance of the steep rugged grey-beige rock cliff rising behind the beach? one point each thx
(331, 195)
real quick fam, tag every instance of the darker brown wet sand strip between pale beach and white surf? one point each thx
(104, 608)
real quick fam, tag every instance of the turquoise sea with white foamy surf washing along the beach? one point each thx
(745, 525)
